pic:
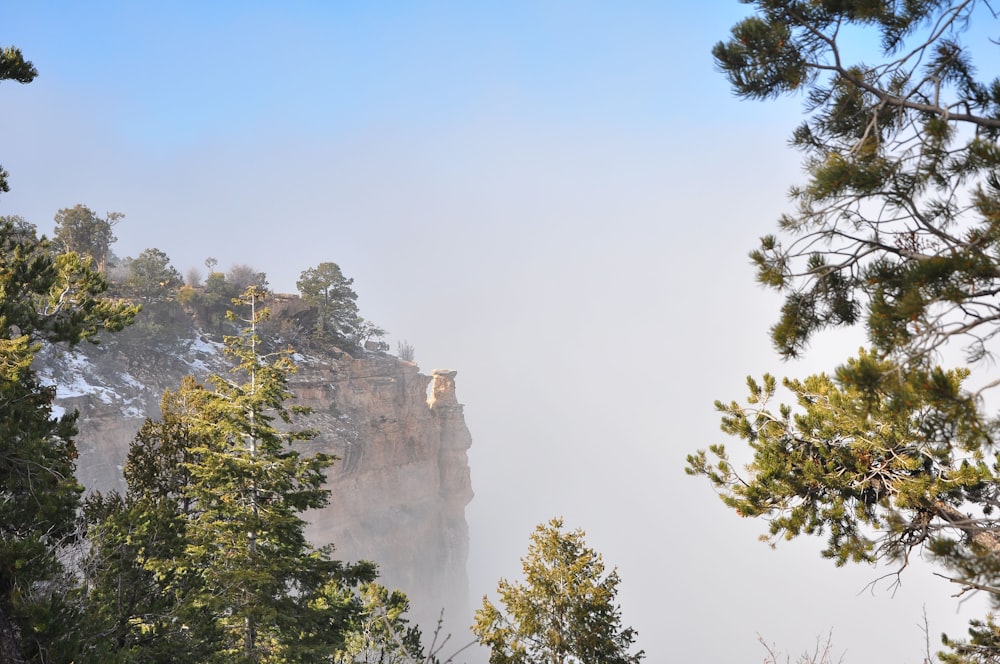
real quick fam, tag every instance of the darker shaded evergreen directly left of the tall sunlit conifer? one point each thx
(141, 600)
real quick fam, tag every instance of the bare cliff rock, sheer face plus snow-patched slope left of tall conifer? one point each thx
(398, 492)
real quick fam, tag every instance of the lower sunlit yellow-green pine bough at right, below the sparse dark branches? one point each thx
(880, 459)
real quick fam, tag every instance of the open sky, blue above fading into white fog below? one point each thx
(554, 198)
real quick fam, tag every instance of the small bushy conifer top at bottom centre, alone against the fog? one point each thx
(563, 612)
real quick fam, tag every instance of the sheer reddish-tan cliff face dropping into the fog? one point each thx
(402, 483)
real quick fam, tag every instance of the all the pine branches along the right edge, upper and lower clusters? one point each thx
(897, 230)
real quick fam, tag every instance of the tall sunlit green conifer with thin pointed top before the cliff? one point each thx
(251, 487)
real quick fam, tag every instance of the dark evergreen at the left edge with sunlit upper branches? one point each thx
(44, 298)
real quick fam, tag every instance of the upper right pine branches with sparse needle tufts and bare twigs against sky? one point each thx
(898, 222)
